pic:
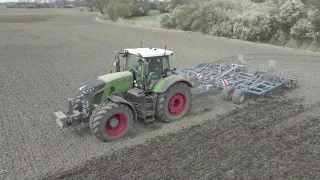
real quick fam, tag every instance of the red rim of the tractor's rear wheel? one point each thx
(177, 104)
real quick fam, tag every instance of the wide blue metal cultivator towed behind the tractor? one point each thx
(234, 81)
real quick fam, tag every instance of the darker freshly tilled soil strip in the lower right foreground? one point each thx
(246, 143)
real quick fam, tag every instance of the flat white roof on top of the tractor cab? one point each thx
(149, 52)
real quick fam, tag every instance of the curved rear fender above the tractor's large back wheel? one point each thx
(165, 83)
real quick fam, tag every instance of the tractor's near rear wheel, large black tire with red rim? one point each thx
(181, 92)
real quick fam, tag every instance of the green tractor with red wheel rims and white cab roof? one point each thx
(146, 88)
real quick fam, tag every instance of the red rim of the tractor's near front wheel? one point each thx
(113, 129)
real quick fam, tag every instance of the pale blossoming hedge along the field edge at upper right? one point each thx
(275, 21)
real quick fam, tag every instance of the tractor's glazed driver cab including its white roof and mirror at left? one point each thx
(148, 65)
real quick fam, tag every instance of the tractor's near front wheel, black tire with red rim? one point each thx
(111, 121)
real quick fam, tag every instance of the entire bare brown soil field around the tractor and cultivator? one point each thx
(44, 60)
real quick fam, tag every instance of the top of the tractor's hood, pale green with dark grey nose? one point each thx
(99, 82)
